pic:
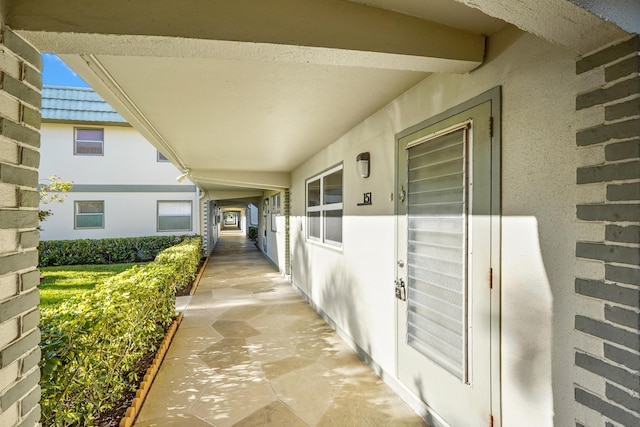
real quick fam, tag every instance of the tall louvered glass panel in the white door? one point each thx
(437, 251)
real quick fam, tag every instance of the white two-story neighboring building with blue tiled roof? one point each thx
(123, 187)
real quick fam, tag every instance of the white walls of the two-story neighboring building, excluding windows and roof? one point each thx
(128, 159)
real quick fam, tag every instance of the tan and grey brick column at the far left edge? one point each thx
(20, 86)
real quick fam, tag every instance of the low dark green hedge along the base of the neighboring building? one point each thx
(103, 251)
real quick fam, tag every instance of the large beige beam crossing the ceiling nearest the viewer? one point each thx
(321, 31)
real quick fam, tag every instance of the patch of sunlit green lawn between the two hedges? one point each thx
(65, 281)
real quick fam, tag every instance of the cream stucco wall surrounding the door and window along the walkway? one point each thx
(539, 159)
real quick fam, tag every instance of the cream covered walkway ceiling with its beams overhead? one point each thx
(239, 93)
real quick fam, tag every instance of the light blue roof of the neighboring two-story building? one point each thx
(76, 104)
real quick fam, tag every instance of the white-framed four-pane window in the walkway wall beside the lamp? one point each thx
(324, 207)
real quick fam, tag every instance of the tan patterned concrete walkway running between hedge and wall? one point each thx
(251, 352)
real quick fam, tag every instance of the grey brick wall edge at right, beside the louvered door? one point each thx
(615, 100)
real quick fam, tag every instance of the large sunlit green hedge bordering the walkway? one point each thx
(91, 343)
